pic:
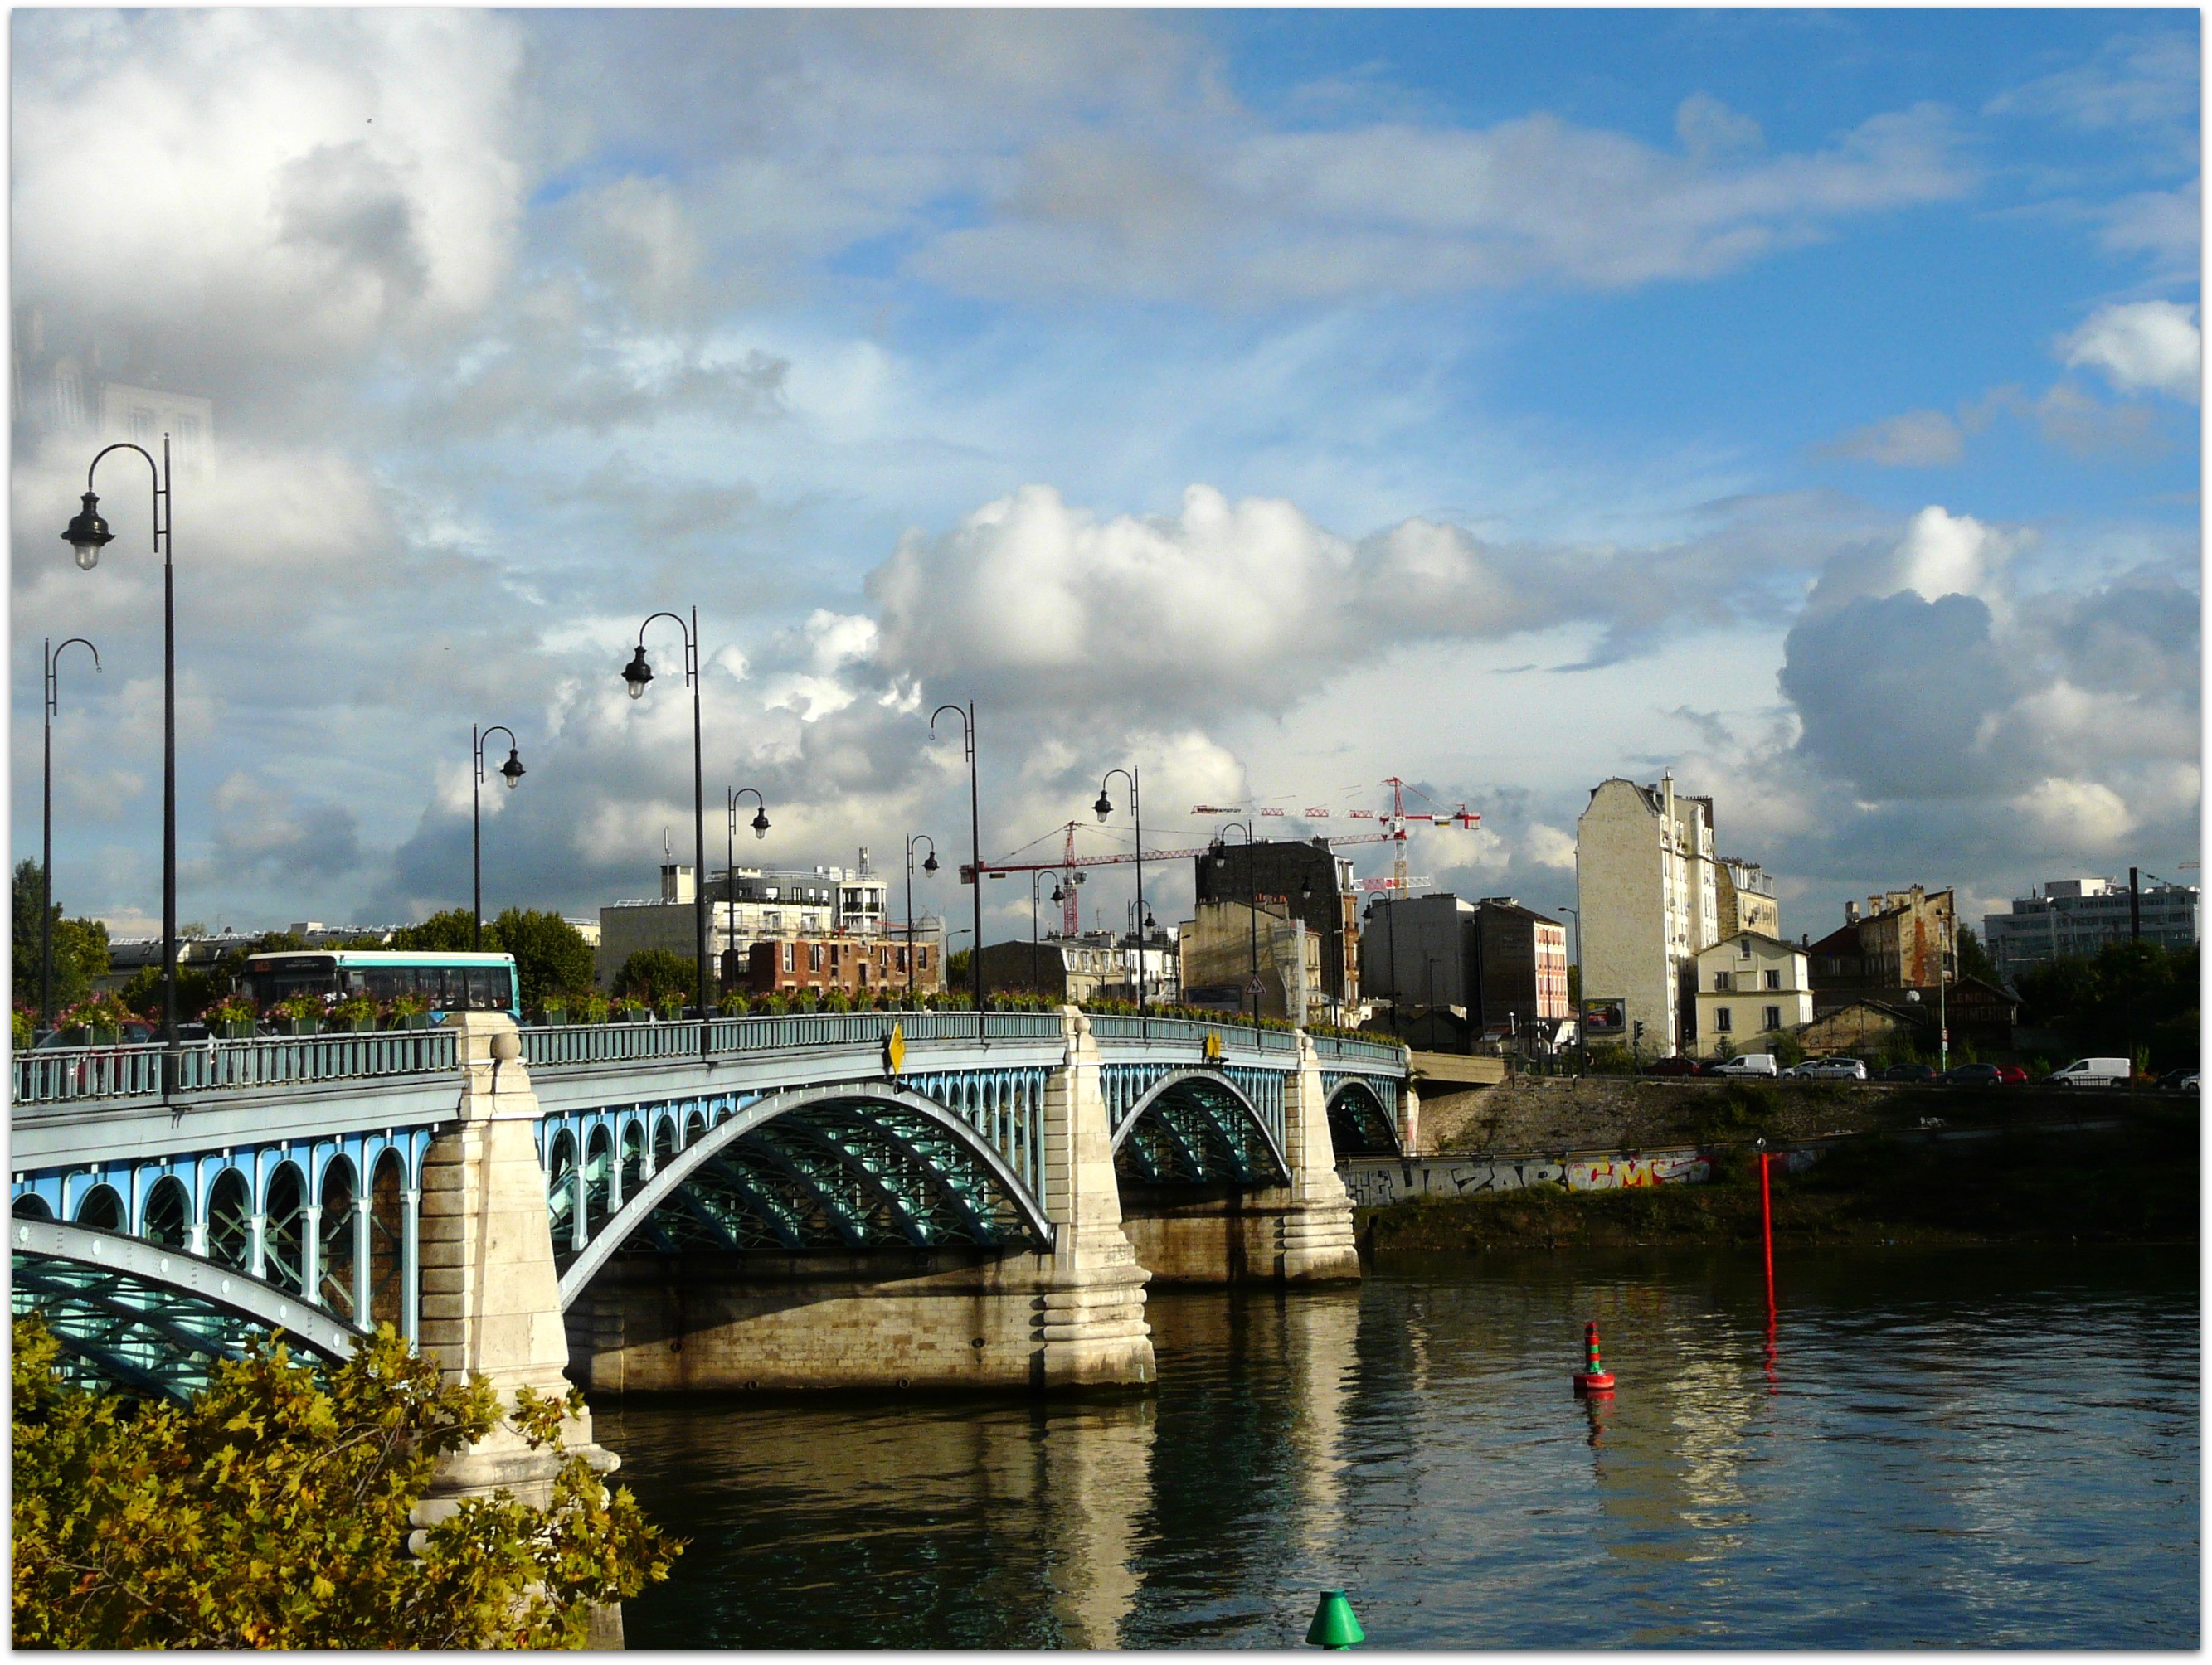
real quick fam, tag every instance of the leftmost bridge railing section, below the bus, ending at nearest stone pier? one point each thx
(81, 1074)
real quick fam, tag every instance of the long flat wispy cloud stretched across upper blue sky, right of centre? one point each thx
(1404, 209)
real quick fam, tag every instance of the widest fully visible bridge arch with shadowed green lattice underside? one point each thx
(842, 1169)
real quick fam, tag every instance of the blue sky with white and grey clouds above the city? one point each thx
(1280, 401)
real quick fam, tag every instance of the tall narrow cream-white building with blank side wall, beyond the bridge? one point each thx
(1649, 905)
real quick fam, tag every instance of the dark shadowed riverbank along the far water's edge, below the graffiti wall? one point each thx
(2129, 1184)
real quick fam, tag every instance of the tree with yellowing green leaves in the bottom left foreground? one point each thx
(273, 1511)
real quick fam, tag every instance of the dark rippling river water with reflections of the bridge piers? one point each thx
(1943, 1447)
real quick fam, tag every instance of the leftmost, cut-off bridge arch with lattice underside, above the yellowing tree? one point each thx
(149, 1319)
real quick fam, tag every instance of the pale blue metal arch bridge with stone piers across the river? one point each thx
(932, 1173)
